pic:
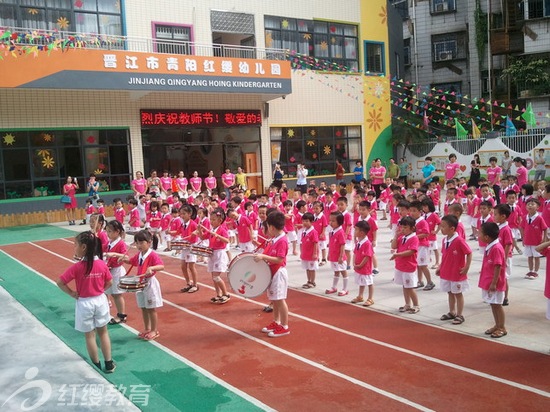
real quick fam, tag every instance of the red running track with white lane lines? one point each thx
(338, 356)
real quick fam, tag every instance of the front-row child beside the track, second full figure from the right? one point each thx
(455, 263)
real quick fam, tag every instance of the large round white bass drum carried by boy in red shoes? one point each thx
(247, 277)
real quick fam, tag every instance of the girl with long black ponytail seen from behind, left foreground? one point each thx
(92, 277)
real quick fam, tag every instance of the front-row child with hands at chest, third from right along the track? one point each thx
(405, 246)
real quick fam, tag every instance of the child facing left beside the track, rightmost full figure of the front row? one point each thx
(492, 279)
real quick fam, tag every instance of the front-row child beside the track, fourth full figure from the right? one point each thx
(362, 263)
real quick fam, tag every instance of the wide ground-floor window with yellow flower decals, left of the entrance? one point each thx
(33, 163)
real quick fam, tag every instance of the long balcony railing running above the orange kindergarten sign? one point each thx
(44, 38)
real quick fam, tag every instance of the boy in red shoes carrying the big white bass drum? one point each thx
(275, 256)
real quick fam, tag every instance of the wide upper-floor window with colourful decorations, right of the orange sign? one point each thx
(336, 44)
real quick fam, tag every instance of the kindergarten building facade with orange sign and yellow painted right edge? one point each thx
(112, 87)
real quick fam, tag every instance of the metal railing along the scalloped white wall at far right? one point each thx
(520, 142)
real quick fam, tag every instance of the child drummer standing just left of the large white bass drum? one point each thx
(218, 262)
